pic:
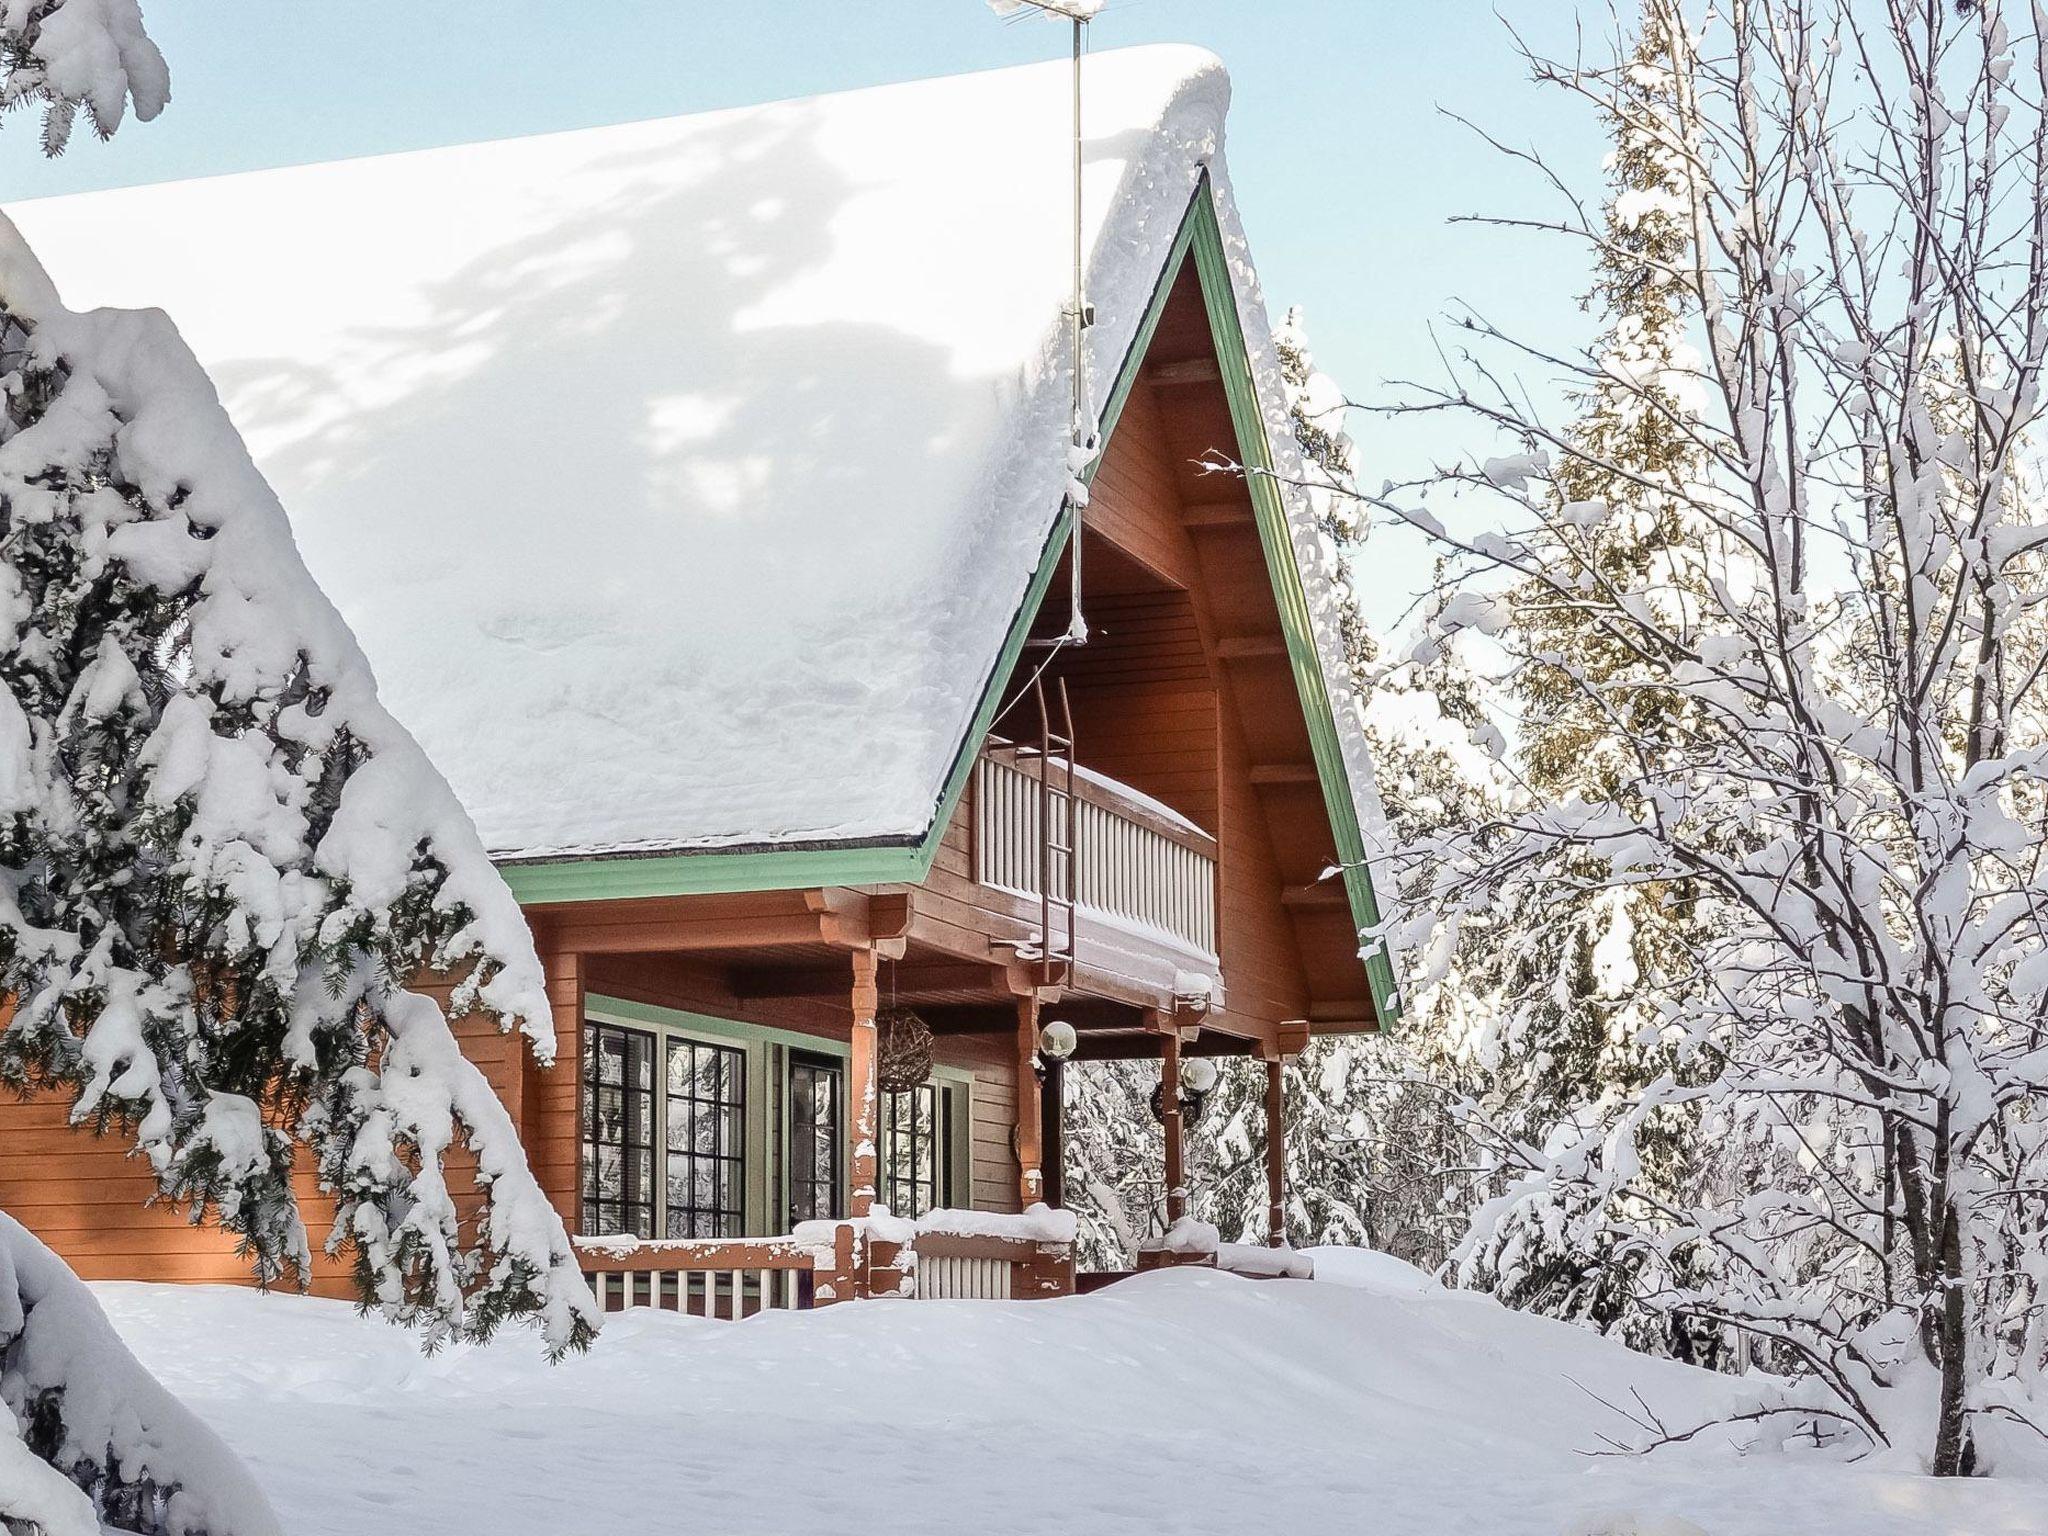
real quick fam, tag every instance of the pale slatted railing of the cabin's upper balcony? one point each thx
(1136, 861)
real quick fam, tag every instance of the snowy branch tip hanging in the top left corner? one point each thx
(75, 56)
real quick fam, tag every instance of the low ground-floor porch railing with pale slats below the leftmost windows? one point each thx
(728, 1279)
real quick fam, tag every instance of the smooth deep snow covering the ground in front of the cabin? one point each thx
(1177, 1402)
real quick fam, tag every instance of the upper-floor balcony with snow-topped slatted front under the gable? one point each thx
(1111, 869)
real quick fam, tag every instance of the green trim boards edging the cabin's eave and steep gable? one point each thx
(781, 869)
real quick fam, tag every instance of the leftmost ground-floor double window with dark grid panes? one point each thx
(697, 1121)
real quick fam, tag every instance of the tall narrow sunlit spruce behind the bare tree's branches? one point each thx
(1578, 986)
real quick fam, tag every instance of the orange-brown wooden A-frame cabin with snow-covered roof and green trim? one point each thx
(701, 495)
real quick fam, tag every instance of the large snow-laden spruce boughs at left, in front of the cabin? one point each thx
(222, 861)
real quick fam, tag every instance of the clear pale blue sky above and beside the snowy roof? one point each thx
(1347, 167)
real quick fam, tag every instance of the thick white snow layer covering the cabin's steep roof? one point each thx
(683, 478)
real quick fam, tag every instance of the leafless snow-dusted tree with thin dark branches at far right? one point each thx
(1857, 798)
